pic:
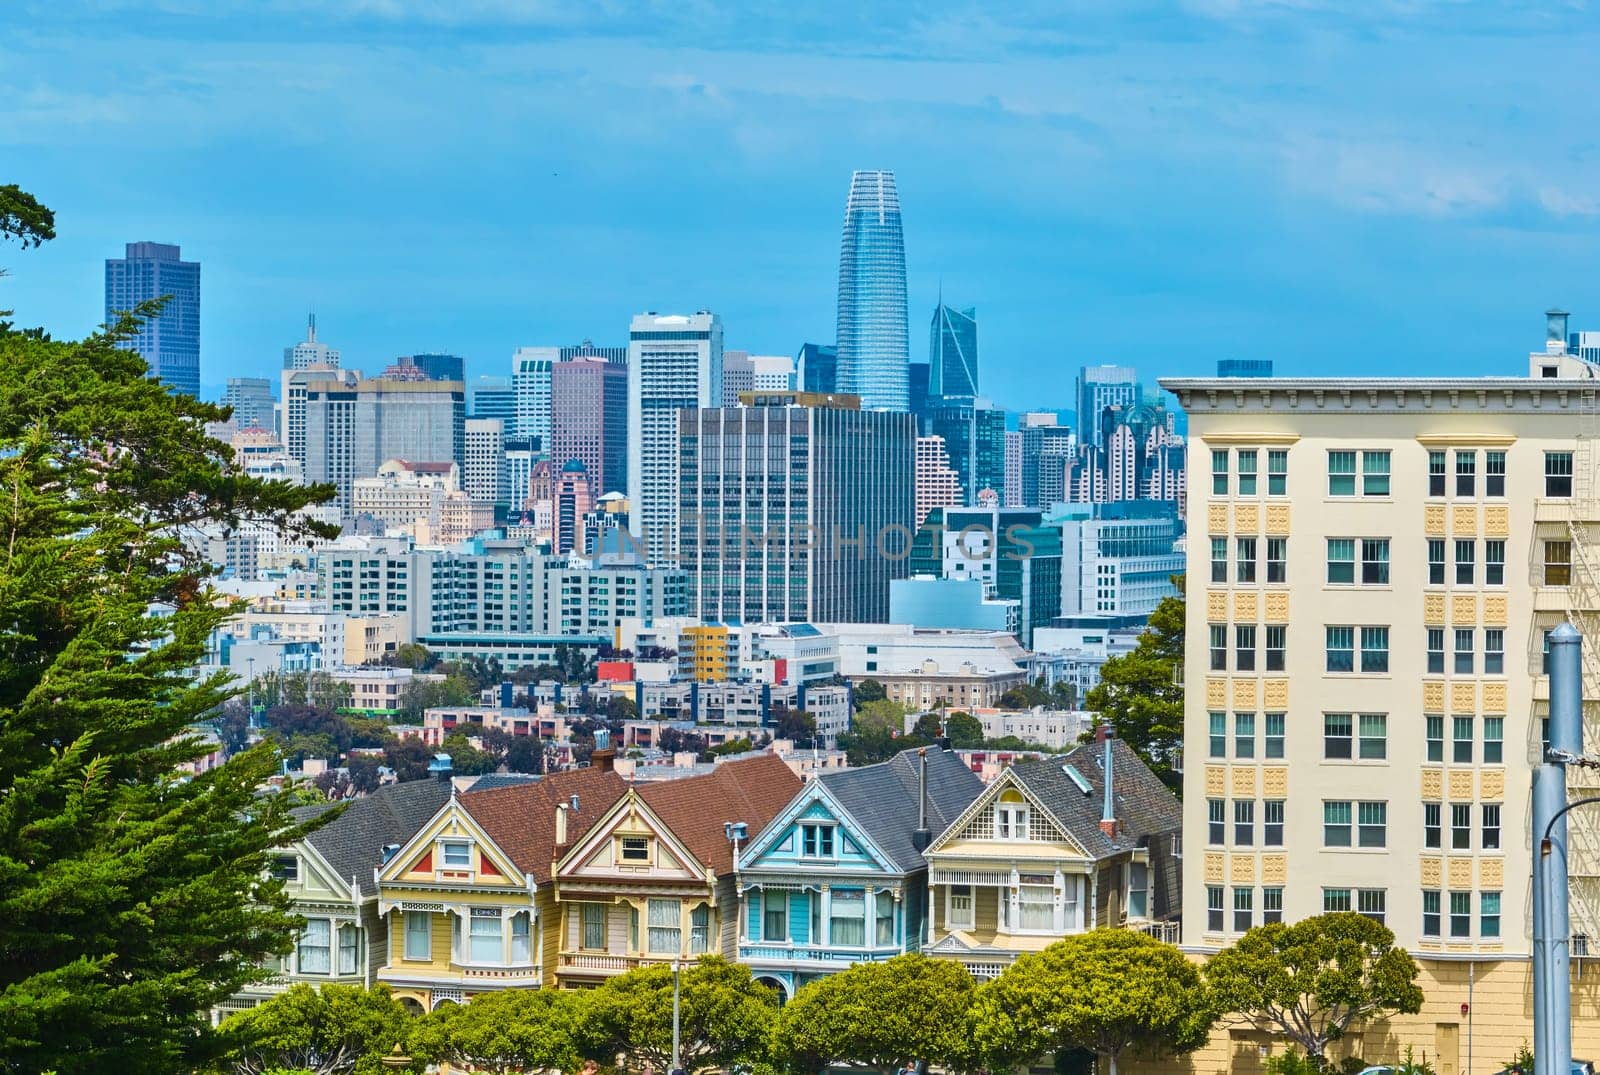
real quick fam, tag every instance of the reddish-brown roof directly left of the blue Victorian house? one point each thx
(695, 809)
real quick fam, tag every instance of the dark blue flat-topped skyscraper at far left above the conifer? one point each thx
(169, 343)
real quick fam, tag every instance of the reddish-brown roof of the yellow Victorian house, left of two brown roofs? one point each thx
(521, 820)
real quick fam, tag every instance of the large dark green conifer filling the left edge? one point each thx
(130, 900)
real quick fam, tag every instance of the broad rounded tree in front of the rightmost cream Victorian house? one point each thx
(1114, 993)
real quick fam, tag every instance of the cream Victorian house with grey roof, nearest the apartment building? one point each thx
(1055, 847)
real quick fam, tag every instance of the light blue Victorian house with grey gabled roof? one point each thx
(839, 876)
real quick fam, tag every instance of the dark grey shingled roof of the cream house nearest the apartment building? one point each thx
(1145, 807)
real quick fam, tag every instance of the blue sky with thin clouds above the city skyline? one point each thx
(1345, 188)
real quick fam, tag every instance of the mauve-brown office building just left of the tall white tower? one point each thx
(590, 420)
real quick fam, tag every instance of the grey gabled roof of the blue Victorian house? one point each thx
(884, 799)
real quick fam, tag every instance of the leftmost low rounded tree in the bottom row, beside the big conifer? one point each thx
(330, 1031)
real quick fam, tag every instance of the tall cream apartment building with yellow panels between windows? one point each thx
(1372, 570)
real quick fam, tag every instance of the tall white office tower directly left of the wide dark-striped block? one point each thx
(674, 362)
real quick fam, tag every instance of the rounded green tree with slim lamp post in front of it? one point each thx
(726, 1017)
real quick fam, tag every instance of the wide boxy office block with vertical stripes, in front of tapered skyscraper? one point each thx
(798, 508)
